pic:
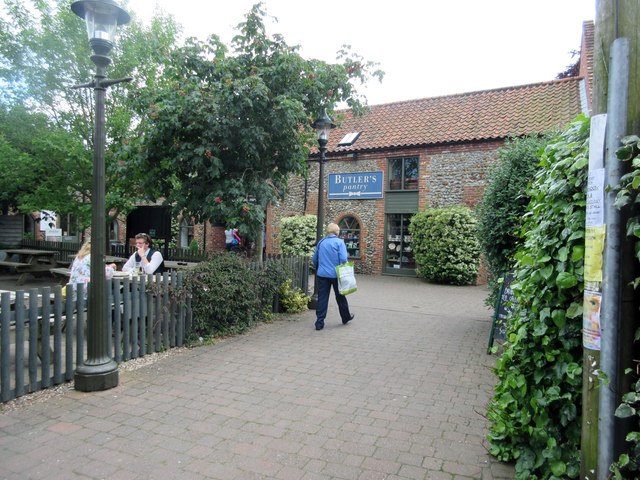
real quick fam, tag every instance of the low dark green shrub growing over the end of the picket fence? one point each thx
(227, 296)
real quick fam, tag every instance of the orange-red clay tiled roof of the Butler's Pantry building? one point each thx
(466, 117)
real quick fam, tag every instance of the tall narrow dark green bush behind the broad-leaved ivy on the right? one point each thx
(504, 203)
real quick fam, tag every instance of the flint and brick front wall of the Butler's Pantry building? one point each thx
(449, 175)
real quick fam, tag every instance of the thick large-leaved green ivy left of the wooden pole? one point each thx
(536, 408)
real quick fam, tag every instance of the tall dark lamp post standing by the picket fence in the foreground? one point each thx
(99, 371)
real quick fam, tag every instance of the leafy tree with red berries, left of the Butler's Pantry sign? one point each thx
(222, 136)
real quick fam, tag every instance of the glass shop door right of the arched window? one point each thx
(398, 251)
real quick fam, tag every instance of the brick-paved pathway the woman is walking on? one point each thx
(399, 393)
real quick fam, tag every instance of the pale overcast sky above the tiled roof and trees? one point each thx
(426, 48)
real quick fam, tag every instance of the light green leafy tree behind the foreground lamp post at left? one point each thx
(44, 51)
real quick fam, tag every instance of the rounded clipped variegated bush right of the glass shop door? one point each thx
(445, 245)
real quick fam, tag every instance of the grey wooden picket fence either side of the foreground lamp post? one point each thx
(42, 334)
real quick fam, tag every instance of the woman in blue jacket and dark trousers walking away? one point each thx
(329, 253)
